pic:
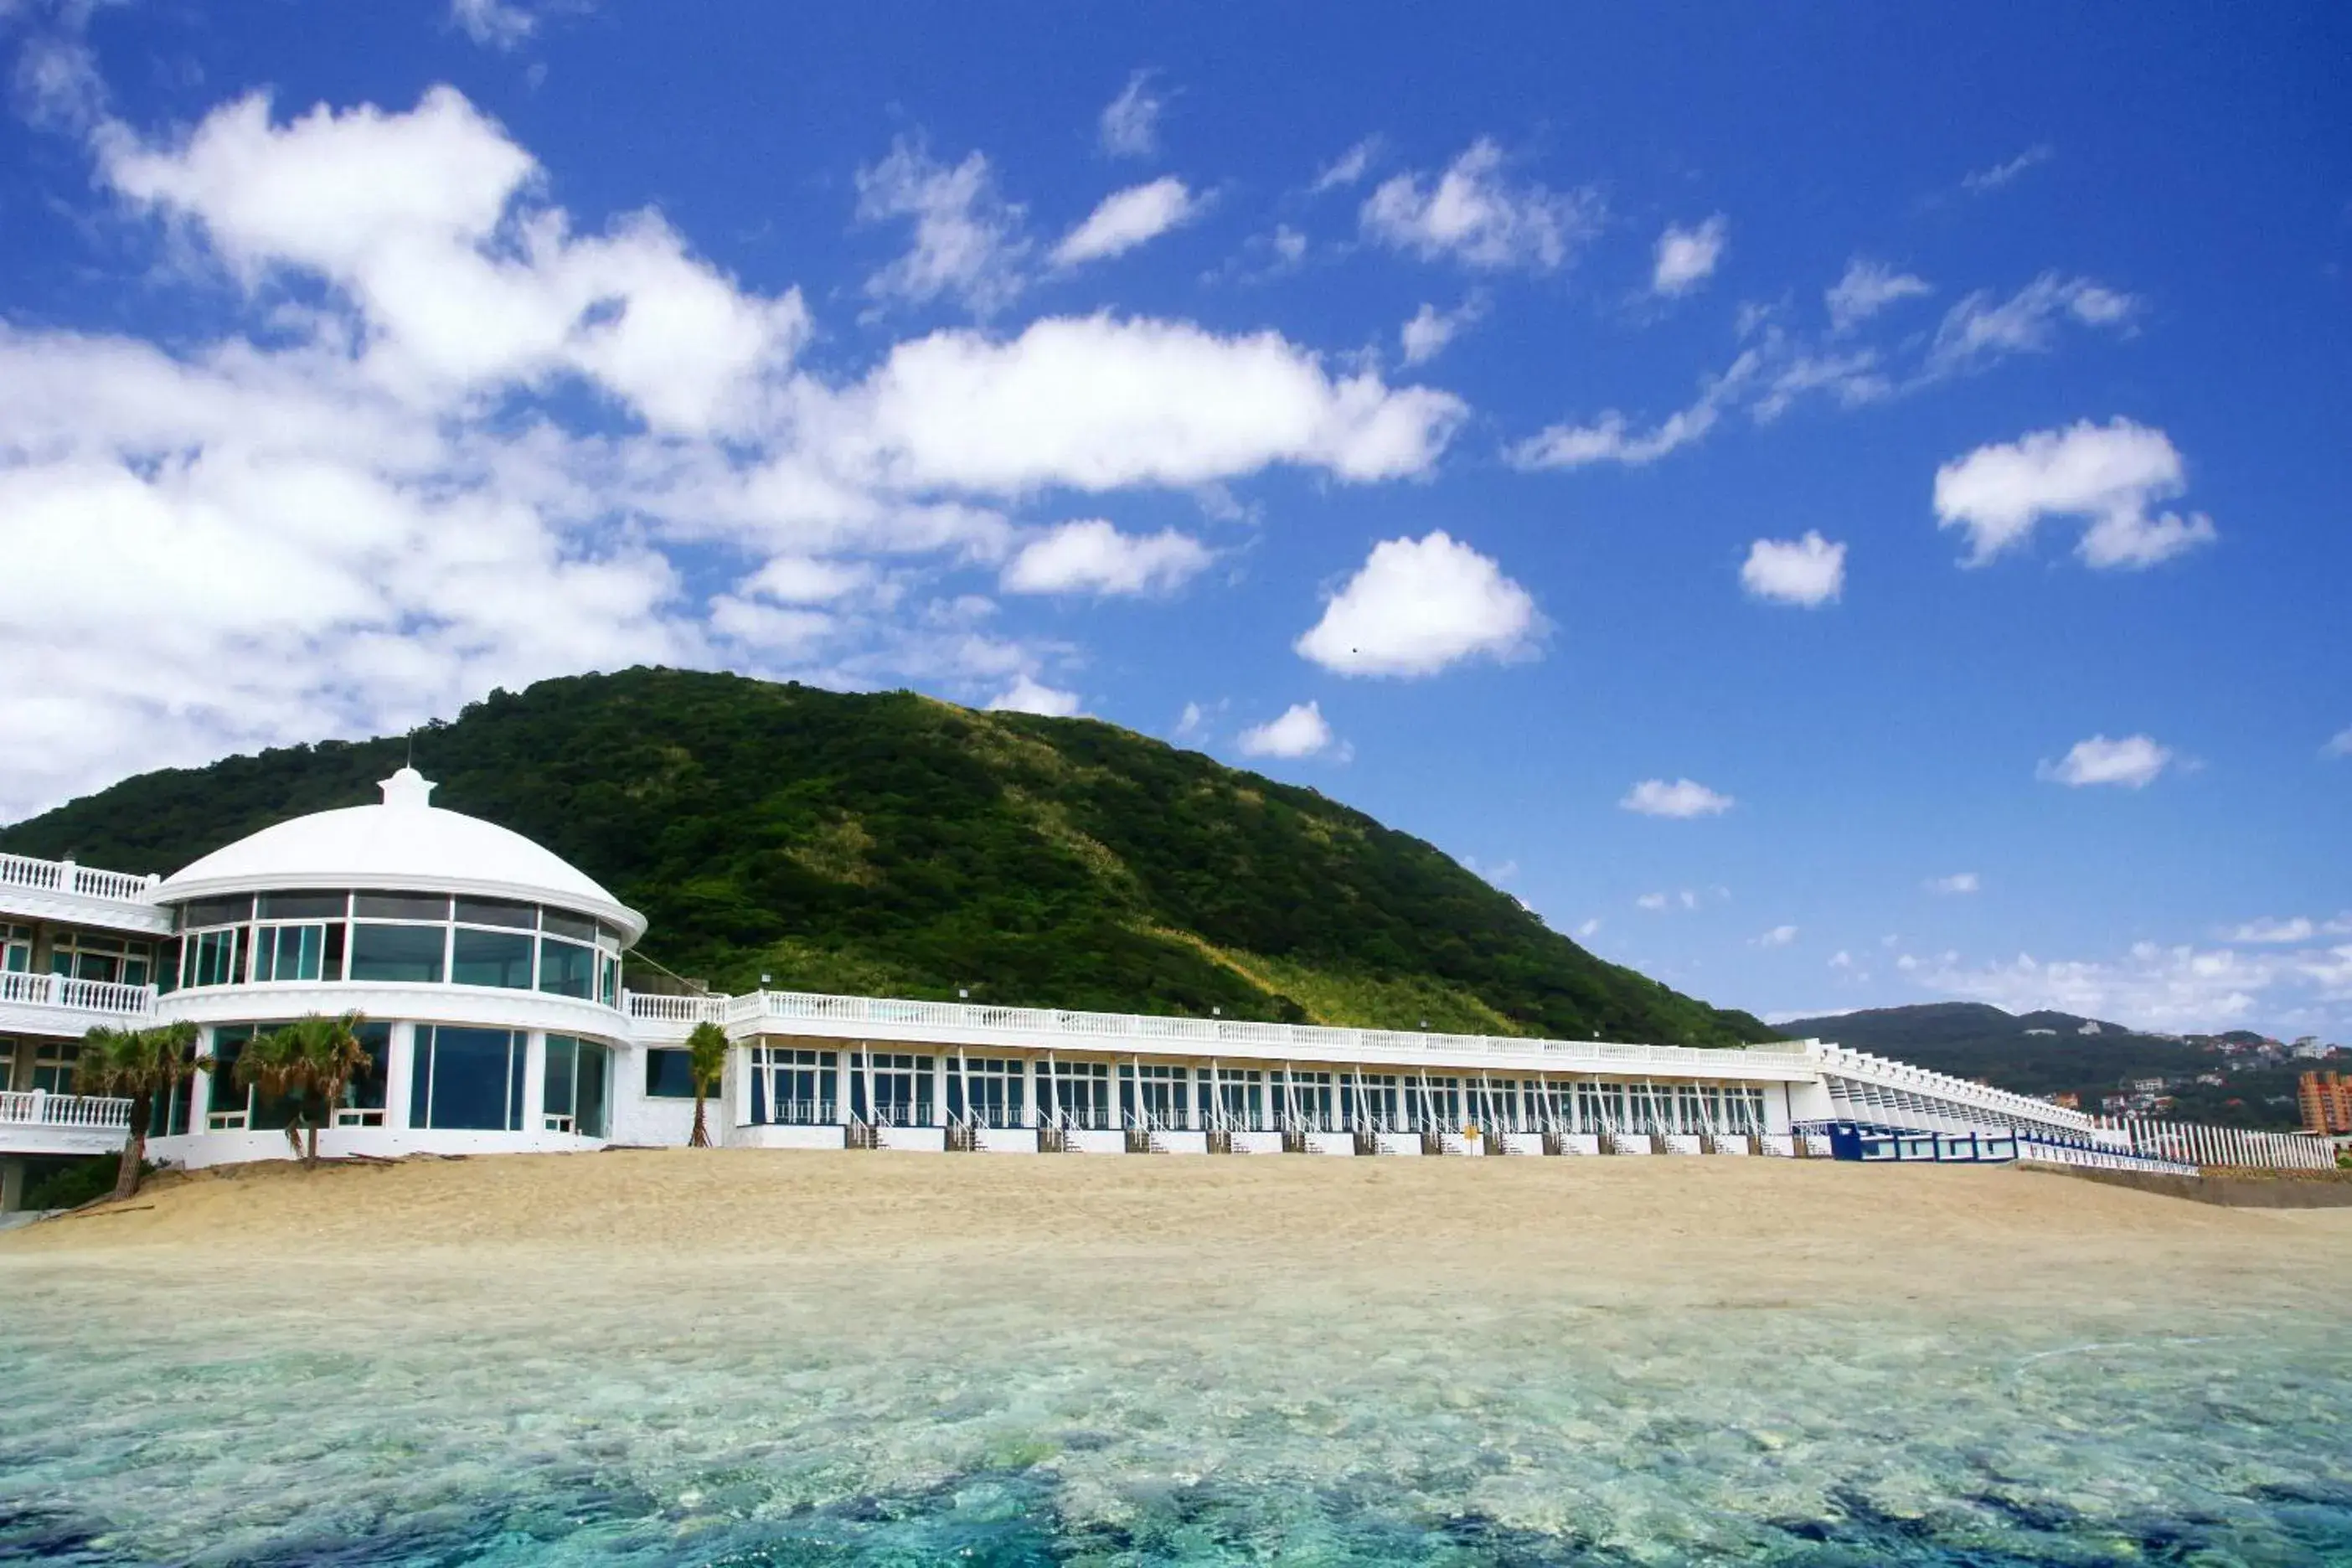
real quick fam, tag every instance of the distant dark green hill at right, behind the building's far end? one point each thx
(2050, 1054)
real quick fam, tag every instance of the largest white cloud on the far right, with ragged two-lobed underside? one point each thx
(2111, 476)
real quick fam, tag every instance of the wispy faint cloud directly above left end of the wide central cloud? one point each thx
(968, 239)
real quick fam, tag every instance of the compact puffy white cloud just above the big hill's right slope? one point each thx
(1422, 605)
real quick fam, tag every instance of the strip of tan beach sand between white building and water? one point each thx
(1652, 1231)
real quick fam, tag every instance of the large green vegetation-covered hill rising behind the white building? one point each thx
(909, 847)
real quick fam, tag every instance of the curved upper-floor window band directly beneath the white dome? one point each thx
(415, 939)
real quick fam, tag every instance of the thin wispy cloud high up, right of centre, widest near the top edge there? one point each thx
(1478, 217)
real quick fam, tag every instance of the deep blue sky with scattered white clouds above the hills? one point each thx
(1831, 509)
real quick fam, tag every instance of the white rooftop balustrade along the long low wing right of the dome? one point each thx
(1041, 1026)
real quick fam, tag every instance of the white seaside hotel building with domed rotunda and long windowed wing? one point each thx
(490, 977)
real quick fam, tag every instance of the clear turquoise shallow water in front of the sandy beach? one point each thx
(989, 1416)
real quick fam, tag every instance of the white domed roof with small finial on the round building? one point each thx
(403, 845)
